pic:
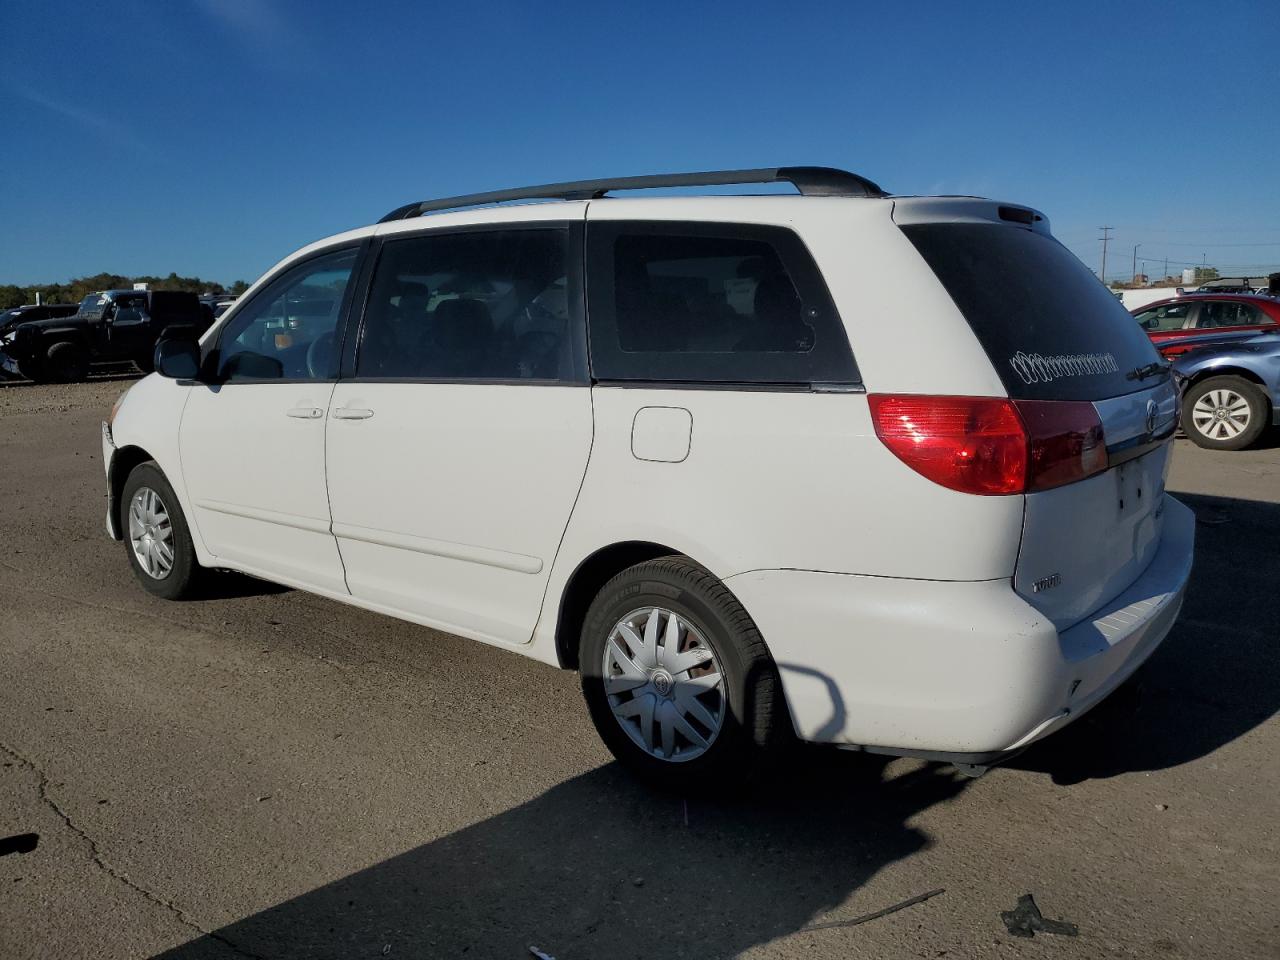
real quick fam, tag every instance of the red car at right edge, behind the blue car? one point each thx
(1182, 323)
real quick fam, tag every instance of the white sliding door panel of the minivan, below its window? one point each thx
(451, 500)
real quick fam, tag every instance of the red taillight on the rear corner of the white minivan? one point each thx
(991, 446)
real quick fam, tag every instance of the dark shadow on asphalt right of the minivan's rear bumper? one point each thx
(1214, 679)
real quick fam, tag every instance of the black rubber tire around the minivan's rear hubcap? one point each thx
(755, 720)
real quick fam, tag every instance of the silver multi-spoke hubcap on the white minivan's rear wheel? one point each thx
(665, 684)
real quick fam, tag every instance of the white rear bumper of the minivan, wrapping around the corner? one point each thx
(938, 668)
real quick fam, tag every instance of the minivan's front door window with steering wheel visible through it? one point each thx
(289, 330)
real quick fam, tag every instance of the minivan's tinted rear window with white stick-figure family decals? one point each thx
(1049, 327)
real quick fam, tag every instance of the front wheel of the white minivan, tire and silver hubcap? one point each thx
(157, 538)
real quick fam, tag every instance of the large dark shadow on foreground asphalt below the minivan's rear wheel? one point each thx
(602, 867)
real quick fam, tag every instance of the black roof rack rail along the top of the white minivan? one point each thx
(811, 181)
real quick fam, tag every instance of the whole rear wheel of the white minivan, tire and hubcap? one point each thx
(678, 679)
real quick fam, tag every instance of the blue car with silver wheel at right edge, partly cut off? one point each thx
(1231, 392)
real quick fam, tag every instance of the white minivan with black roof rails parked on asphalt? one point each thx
(876, 472)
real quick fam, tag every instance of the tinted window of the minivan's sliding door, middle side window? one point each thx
(481, 305)
